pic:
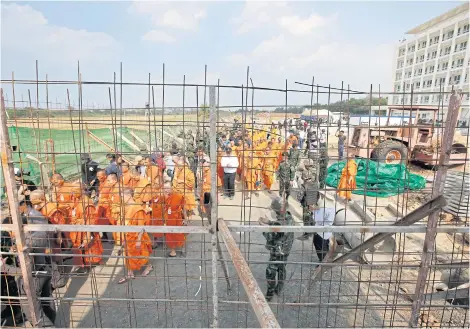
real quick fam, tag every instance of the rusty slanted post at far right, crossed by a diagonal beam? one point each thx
(439, 183)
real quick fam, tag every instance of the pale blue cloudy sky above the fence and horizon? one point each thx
(334, 41)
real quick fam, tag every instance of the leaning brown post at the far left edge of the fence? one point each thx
(10, 184)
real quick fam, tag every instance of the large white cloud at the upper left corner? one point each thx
(26, 31)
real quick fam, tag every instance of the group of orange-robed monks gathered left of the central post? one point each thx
(132, 199)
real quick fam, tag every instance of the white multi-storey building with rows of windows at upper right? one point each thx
(433, 57)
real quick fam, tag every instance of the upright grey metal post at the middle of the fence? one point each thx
(214, 203)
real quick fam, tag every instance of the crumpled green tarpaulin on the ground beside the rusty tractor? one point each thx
(377, 179)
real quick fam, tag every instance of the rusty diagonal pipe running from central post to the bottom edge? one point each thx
(261, 307)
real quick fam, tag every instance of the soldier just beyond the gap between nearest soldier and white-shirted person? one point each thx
(309, 193)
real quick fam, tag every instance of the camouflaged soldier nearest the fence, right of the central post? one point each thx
(279, 245)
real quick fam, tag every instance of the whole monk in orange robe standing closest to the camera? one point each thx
(135, 244)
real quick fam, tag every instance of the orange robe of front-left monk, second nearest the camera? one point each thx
(84, 213)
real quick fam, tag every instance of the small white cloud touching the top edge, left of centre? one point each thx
(175, 15)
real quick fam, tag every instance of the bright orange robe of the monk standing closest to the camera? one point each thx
(135, 215)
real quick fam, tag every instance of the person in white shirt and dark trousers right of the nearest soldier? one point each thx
(322, 216)
